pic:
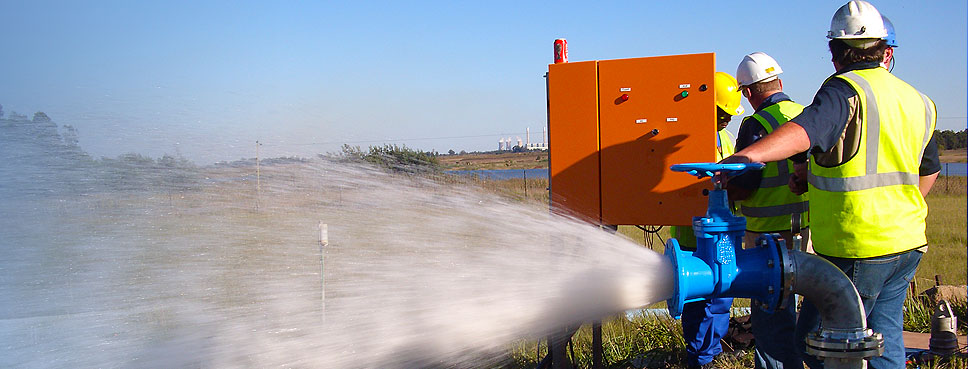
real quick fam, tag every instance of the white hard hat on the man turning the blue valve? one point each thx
(858, 23)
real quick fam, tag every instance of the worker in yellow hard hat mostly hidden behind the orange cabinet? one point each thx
(704, 323)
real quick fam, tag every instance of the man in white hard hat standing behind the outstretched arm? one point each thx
(767, 202)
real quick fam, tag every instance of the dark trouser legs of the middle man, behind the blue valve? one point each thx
(773, 334)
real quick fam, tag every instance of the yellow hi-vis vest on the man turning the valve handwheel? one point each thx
(870, 205)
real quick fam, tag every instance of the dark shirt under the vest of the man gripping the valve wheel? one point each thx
(826, 118)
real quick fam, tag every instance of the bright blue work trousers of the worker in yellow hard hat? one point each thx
(704, 323)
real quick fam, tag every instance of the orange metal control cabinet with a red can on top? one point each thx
(615, 127)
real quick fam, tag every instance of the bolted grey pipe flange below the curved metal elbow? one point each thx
(845, 344)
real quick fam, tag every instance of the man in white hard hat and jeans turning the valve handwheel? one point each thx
(874, 160)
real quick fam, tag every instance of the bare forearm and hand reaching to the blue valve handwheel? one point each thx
(788, 140)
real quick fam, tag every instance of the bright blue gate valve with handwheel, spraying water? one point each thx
(720, 266)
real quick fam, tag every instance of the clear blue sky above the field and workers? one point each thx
(208, 79)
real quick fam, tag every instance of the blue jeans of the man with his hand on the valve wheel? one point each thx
(882, 283)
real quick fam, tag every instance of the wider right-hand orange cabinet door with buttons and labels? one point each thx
(655, 112)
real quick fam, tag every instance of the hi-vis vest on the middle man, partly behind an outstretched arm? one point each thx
(768, 209)
